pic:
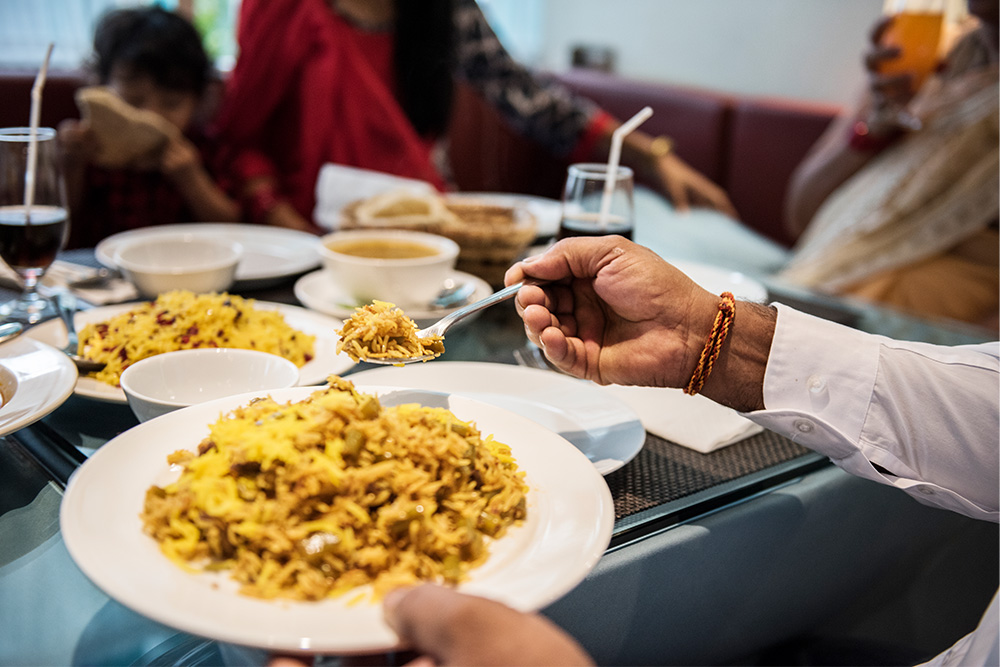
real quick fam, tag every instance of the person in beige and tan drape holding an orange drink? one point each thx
(897, 203)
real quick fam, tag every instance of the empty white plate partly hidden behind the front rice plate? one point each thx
(601, 426)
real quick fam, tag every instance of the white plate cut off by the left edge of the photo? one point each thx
(36, 379)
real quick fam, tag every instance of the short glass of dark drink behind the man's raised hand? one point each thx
(583, 197)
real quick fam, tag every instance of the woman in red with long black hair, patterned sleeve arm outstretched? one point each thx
(369, 84)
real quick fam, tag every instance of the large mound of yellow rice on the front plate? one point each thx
(308, 500)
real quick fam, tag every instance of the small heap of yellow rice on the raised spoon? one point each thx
(380, 330)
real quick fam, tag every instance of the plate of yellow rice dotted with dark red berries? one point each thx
(122, 334)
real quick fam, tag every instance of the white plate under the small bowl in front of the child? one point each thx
(269, 253)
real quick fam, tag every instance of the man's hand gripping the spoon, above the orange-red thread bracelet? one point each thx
(614, 312)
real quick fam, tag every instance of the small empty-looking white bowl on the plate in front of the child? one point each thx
(158, 264)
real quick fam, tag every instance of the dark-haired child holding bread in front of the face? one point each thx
(154, 60)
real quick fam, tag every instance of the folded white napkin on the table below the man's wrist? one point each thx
(694, 422)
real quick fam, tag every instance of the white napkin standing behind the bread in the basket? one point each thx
(338, 186)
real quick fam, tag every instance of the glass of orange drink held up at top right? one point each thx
(916, 29)
